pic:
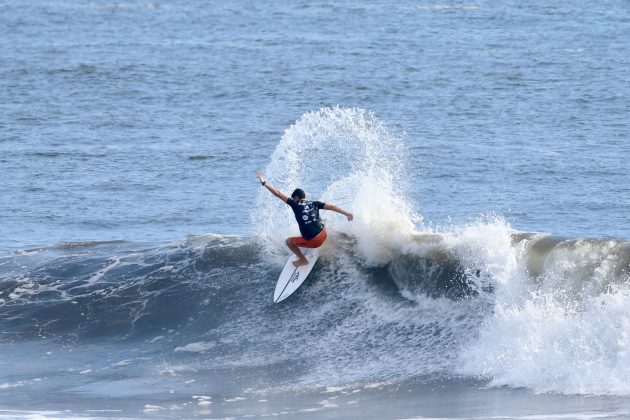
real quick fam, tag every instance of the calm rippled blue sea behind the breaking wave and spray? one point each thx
(146, 121)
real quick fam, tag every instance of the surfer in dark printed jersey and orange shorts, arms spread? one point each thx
(307, 215)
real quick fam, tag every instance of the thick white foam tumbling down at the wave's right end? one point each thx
(566, 330)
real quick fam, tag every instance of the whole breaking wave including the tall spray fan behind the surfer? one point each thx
(391, 299)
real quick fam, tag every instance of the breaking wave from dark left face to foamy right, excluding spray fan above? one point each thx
(444, 305)
